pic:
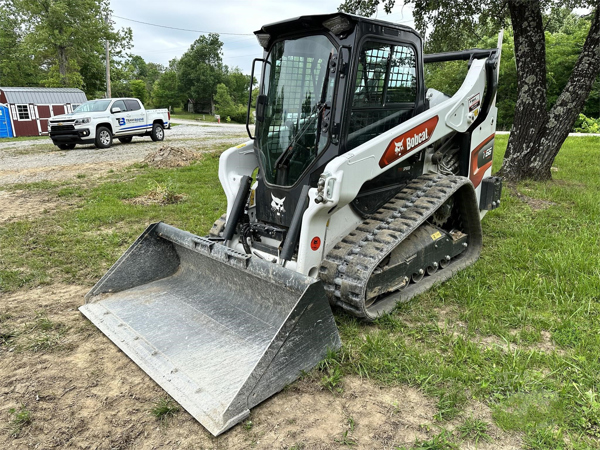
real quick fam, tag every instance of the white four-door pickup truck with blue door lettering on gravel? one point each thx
(99, 121)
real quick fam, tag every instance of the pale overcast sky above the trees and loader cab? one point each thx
(160, 45)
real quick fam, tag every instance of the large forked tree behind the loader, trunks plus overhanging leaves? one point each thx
(538, 130)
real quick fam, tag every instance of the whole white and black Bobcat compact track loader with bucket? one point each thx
(361, 189)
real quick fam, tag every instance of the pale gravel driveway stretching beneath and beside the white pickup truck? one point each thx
(38, 160)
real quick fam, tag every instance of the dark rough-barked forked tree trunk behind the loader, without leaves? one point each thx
(537, 135)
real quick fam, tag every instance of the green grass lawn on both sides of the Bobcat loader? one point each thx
(517, 332)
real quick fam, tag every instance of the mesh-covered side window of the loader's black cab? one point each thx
(385, 90)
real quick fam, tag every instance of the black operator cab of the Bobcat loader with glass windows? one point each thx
(328, 84)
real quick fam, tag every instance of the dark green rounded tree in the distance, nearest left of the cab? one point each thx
(200, 70)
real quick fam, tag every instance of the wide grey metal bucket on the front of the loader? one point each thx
(219, 330)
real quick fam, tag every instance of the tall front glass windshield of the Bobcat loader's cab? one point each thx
(298, 89)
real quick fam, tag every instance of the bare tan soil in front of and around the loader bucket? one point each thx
(83, 392)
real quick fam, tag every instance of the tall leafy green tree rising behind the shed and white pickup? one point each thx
(69, 37)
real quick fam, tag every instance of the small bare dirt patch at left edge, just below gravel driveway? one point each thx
(18, 205)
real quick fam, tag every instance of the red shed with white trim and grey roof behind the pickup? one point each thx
(30, 108)
